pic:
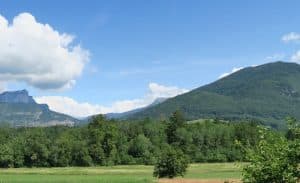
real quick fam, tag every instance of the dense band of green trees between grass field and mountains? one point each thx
(110, 142)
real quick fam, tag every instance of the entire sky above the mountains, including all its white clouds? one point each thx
(93, 56)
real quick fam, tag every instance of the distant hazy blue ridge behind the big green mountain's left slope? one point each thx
(131, 112)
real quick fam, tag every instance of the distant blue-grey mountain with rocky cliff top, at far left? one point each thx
(19, 109)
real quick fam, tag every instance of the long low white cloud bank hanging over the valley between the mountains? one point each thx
(72, 107)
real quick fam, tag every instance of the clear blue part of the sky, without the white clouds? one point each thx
(183, 44)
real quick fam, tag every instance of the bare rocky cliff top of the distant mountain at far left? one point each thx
(16, 97)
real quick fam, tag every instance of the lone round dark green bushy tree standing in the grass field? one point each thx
(171, 163)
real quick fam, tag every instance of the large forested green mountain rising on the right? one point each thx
(267, 93)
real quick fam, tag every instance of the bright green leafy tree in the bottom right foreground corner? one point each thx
(275, 159)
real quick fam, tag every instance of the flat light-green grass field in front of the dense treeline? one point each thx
(121, 174)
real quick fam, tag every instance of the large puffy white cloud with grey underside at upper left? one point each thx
(38, 55)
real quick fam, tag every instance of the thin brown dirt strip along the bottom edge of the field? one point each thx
(197, 181)
